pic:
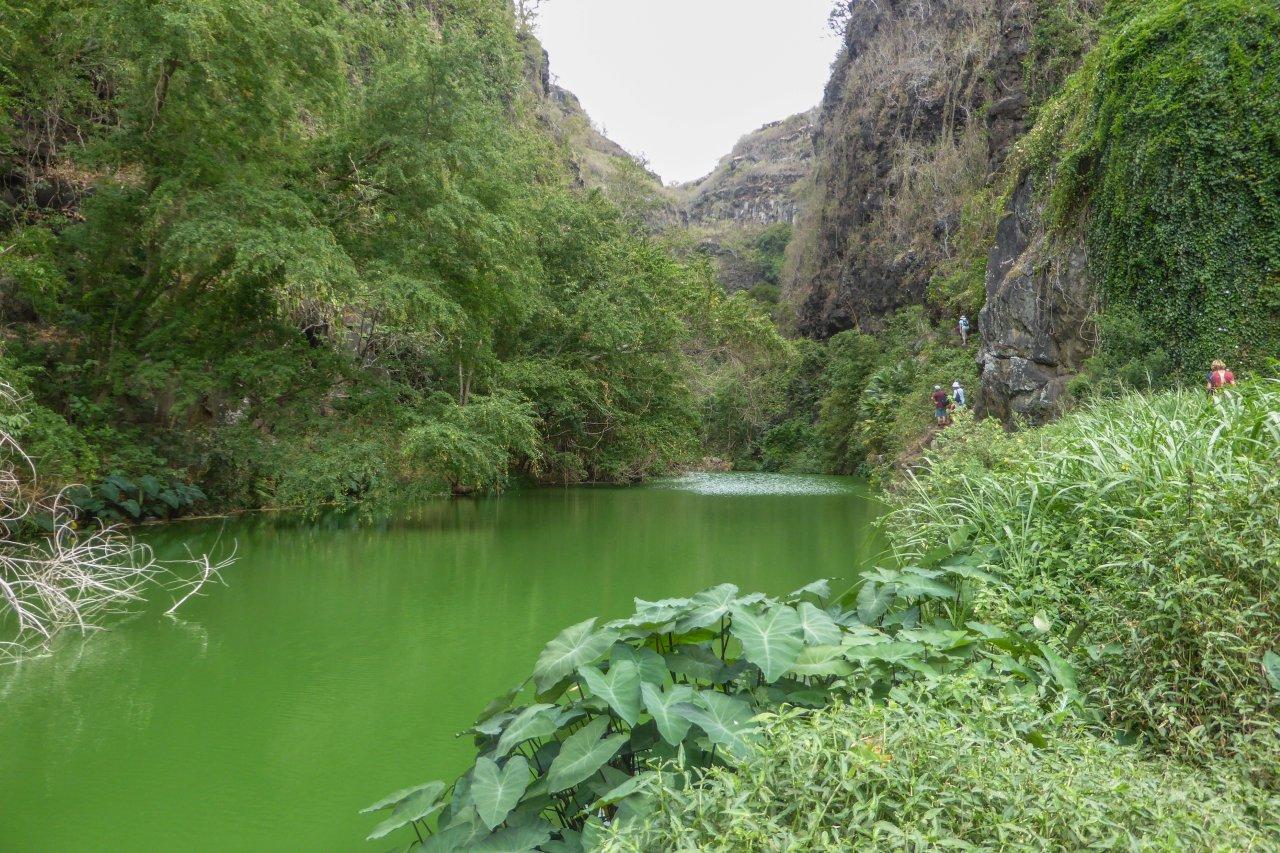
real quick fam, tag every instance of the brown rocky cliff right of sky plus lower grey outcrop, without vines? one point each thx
(926, 102)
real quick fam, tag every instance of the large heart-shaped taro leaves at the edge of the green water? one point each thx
(676, 690)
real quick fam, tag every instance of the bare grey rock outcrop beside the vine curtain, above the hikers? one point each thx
(1037, 323)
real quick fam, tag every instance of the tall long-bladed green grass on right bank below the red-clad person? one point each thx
(1146, 531)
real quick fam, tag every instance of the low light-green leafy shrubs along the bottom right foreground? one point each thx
(950, 767)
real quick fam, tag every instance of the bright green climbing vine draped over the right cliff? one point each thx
(1168, 148)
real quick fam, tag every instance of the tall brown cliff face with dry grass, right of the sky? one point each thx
(904, 138)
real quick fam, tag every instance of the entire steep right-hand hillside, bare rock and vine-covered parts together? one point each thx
(1099, 179)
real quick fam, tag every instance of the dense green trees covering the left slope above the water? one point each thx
(322, 252)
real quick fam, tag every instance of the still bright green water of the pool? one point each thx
(340, 659)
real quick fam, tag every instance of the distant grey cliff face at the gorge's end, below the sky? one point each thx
(757, 183)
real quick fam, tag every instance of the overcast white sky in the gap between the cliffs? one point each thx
(680, 81)
